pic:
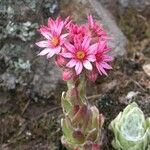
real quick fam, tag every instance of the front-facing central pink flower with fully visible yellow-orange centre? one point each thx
(80, 54)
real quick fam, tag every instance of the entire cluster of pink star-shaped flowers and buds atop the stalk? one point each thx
(77, 49)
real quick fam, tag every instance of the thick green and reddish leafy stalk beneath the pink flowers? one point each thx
(82, 123)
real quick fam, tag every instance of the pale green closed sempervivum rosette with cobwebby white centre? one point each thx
(131, 130)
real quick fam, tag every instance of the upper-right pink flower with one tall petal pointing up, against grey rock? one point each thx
(96, 29)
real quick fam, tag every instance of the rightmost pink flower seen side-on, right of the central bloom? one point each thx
(102, 58)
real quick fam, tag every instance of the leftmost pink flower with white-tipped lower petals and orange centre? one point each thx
(54, 38)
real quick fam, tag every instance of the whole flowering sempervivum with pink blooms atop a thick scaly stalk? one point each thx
(81, 51)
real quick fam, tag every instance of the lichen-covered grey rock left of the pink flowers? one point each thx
(23, 69)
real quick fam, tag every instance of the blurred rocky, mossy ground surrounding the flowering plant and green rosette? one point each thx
(31, 86)
